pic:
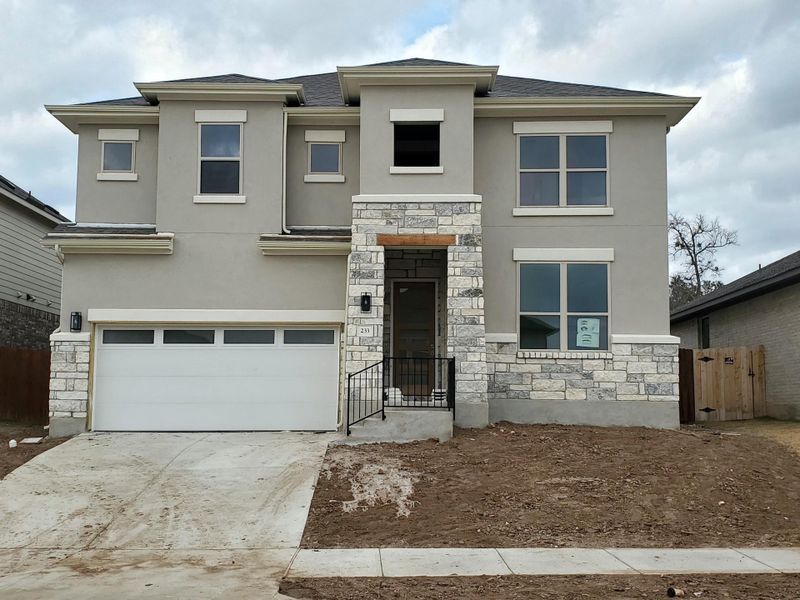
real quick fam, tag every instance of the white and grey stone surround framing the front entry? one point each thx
(466, 340)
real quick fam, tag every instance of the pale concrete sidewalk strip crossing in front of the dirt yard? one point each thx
(442, 562)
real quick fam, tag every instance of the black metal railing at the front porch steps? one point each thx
(399, 382)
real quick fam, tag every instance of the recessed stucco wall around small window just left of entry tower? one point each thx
(320, 203)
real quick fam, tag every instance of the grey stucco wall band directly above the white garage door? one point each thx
(210, 271)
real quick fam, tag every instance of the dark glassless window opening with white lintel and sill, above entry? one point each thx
(417, 140)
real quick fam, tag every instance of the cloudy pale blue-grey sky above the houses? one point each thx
(736, 156)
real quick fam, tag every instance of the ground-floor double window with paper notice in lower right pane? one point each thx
(563, 306)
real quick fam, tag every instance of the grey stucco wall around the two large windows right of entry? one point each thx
(637, 231)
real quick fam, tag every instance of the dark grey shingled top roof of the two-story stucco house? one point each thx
(323, 89)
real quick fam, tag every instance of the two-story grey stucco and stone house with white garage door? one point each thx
(254, 254)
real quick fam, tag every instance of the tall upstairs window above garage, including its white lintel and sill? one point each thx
(219, 178)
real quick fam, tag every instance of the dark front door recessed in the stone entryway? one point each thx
(414, 336)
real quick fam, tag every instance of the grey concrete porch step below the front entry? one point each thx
(405, 425)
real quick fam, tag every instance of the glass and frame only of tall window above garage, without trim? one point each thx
(220, 158)
